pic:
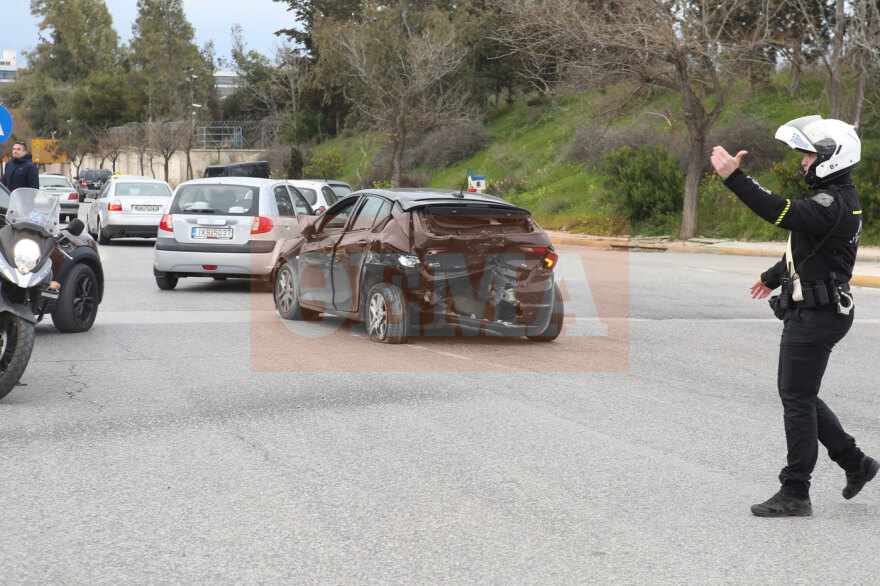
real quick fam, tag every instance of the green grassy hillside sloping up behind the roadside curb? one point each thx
(536, 159)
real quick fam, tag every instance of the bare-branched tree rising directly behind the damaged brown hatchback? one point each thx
(400, 68)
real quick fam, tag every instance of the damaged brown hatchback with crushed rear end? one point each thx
(423, 261)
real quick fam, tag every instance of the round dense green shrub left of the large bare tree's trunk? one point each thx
(646, 184)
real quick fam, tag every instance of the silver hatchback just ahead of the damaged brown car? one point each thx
(226, 227)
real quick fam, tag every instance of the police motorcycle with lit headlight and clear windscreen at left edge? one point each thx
(28, 236)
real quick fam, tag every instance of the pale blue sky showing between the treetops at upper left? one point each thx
(212, 20)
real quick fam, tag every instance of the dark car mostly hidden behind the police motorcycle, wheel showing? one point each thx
(81, 277)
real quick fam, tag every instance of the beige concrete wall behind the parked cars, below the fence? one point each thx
(128, 163)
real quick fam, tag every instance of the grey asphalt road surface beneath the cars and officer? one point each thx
(191, 437)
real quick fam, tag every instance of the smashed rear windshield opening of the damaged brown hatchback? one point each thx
(473, 220)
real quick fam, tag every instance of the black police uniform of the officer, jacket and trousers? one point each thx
(812, 327)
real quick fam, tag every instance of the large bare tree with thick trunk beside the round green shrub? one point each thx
(694, 48)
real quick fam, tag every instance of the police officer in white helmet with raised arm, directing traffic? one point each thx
(815, 302)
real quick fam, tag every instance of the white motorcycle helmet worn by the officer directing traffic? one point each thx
(835, 142)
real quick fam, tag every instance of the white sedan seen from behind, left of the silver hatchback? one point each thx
(127, 207)
